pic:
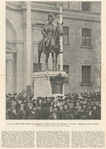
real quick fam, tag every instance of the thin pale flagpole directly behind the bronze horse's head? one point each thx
(61, 39)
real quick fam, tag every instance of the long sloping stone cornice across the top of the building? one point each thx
(69, 13)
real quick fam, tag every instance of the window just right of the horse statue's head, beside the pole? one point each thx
(65, 35)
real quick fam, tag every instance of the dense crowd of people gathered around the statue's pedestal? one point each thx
(70, 106)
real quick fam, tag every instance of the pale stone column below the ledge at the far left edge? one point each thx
(9, 75)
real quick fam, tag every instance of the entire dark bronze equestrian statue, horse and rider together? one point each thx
(51, 41)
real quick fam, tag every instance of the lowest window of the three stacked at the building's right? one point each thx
(86, 75)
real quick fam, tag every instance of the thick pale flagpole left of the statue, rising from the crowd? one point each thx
(28, 51)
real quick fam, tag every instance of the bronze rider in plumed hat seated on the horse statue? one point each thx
(48, 31)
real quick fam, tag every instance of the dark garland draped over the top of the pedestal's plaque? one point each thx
(57, 80)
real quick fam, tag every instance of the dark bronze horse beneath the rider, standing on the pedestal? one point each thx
(54, 50)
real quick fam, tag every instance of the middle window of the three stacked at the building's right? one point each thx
(86, 37)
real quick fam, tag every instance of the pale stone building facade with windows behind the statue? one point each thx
(81, 43)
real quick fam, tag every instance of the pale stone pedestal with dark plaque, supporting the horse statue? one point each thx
(49, 83)
